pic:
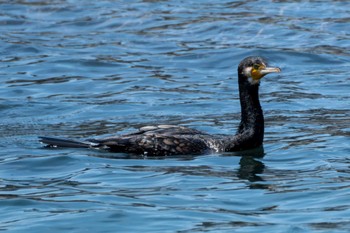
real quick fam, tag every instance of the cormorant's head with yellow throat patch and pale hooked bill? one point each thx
(254, 68)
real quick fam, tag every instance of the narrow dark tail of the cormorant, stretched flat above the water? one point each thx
(60, 142)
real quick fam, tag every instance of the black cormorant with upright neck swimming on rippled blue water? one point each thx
(163, 140)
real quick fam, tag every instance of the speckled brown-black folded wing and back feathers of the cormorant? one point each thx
(163, 140)
